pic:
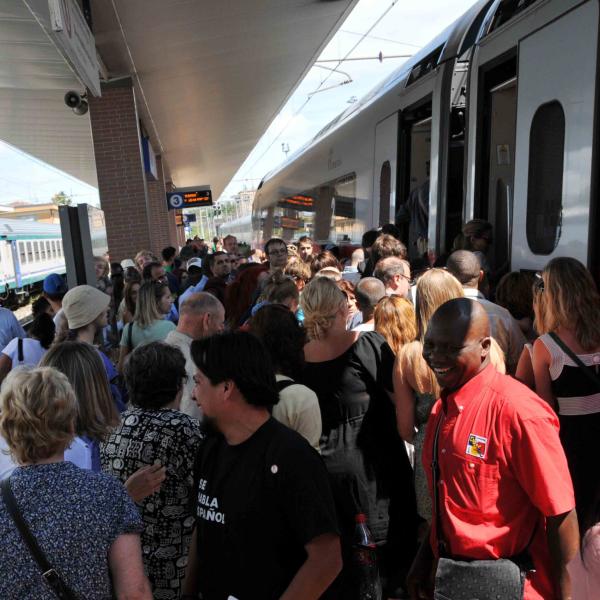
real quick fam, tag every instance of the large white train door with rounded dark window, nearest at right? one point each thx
(554, 139)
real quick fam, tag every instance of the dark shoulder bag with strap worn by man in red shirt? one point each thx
(474, 579)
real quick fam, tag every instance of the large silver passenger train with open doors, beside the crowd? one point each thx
(496, 118)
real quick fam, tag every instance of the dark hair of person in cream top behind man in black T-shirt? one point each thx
(283, 337)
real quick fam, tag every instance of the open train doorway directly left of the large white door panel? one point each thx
(498, 114)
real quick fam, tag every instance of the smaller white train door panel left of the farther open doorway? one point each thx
(384, 171)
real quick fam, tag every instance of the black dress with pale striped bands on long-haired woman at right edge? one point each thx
(578, 401)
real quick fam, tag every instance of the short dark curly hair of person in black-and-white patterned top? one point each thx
(154, 374)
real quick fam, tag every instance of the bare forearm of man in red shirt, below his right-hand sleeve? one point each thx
(563, 541)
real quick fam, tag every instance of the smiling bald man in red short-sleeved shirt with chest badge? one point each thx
(504, 485)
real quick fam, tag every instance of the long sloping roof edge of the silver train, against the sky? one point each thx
(453, 41)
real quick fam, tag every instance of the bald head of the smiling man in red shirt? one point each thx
(457, 342)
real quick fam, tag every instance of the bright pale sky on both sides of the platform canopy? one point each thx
(394, 27)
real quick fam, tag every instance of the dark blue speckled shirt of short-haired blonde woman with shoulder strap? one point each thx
(75, 515)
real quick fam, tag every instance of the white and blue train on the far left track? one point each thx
(28, 252)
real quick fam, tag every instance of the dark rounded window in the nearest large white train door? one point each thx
(545, 180)
